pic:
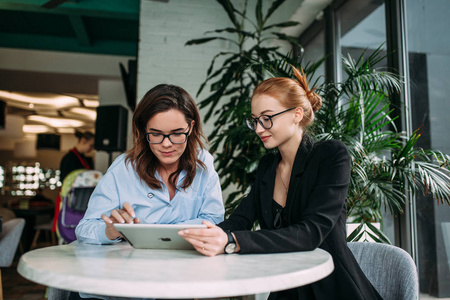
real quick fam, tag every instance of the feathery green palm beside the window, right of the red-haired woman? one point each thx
(385, 163)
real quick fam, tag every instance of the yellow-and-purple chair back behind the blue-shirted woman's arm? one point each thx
(75, 194)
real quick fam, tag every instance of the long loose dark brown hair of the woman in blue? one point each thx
(159, 99)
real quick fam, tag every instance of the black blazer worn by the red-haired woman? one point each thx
(316, 215)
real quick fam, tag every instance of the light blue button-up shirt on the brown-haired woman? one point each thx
(200, 201)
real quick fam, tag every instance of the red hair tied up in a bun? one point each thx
(292, 93)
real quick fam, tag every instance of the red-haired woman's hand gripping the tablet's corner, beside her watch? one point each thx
(210, 241)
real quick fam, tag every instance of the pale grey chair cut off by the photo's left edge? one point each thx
(9, 240)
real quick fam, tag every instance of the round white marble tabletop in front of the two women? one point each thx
(120, 270)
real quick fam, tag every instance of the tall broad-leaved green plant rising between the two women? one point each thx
(231, 81)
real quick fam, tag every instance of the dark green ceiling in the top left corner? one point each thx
(86, 26)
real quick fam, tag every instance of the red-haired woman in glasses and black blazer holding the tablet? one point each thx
(299, 195)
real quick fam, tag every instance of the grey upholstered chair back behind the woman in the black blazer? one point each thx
(390, 269)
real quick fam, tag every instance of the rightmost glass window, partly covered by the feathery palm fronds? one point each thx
(429, 70)
